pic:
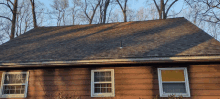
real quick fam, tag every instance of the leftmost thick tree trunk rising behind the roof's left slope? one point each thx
(13, 20)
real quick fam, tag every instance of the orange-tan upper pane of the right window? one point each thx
(172, 75)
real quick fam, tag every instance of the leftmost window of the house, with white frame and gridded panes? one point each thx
(14, 84)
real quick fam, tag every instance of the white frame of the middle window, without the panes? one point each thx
(112, 94)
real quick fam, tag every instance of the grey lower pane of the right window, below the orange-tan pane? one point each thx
(174, 87)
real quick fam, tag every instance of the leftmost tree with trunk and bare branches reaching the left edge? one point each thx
(14, 13)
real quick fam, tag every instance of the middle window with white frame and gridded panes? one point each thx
(102, 83)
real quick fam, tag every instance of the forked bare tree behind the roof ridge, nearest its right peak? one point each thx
(161, 9)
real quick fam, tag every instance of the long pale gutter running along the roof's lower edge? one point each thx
(183, 59)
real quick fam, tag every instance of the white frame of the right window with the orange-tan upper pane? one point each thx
(162, 94)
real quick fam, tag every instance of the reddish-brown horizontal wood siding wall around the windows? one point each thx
(132, 82)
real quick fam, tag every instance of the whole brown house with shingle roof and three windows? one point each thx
(127, 60)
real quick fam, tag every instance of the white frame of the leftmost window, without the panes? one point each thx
(14, 95)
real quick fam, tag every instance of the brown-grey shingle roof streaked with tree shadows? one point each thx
(170, 37)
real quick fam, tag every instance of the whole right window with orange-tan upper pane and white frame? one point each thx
(173, 81)
